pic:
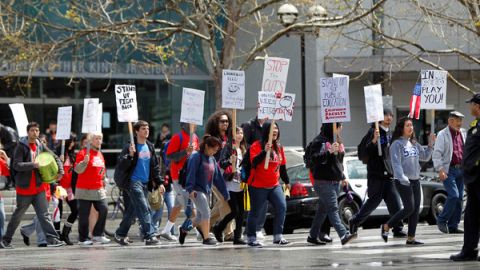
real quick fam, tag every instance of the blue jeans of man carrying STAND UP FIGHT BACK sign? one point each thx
(139, 207)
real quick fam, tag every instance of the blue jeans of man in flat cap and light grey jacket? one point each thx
(452, 210)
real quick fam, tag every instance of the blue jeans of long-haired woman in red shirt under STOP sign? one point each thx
(258, 198)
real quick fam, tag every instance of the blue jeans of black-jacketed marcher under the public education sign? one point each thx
(327, 206)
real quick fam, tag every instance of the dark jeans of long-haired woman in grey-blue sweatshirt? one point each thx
(410, 196)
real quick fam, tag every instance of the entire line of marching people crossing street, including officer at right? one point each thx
(240, 169)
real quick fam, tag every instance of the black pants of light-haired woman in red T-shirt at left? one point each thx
(84, 207)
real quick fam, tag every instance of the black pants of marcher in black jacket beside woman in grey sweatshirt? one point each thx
(379, 188)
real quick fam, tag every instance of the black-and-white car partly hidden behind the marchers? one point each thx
(302, 203)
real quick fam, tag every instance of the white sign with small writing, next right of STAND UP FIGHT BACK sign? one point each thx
(192, 106)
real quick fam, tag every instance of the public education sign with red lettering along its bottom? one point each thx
(334, 99)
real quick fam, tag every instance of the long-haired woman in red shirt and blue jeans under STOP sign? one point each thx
(264, 184)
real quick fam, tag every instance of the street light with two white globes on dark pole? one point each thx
(288, 15)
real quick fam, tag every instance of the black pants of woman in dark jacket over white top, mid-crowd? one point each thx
(237, 211)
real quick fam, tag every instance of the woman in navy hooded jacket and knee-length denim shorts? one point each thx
(202, 173)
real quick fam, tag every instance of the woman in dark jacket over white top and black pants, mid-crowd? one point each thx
(228, 157)
